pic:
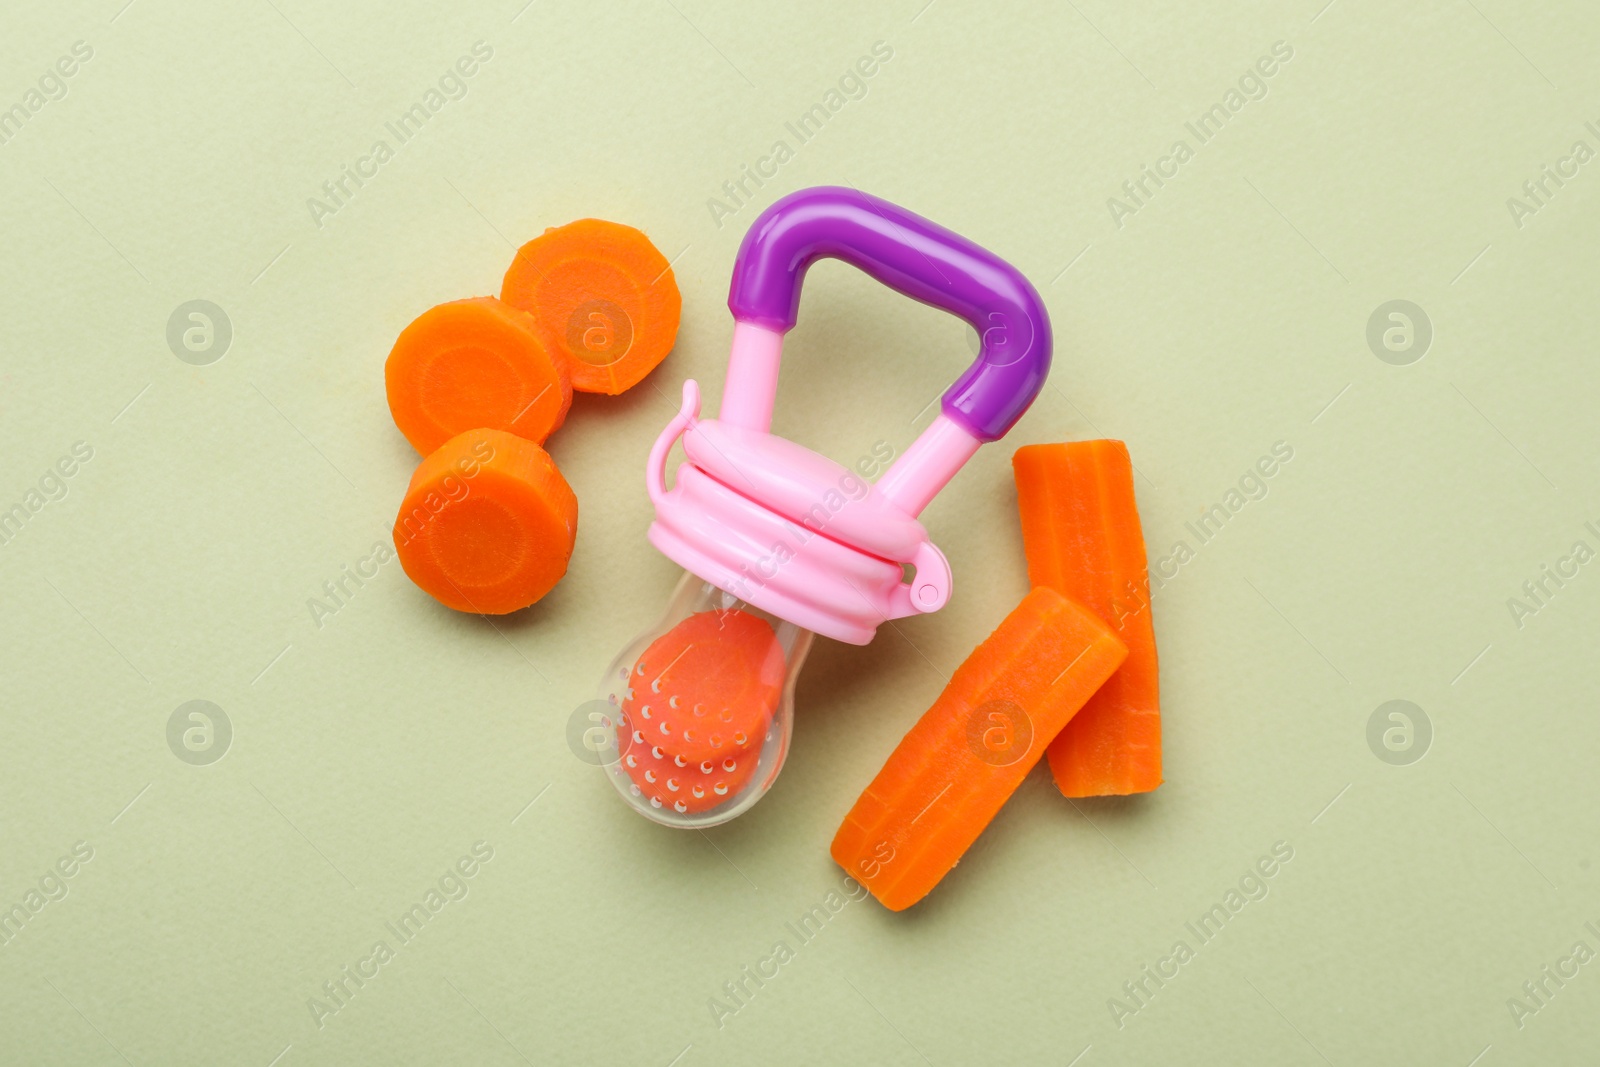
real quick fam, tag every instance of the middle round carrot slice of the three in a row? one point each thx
(476, 364)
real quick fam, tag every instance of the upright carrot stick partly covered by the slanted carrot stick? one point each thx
(1082, 537)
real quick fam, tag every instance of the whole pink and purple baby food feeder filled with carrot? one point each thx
(780, 543)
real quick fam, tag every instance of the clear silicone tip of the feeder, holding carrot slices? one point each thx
(700, 708)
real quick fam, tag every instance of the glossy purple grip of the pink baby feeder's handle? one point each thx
(921, 260)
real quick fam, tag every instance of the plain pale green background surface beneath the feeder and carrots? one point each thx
(1223, 318)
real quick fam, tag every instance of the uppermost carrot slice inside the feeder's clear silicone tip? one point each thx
(708, 687)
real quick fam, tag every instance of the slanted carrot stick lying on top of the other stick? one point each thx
(966, 757)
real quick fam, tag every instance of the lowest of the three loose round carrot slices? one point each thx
(487, 524)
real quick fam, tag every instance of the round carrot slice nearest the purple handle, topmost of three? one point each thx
(604, 297)
